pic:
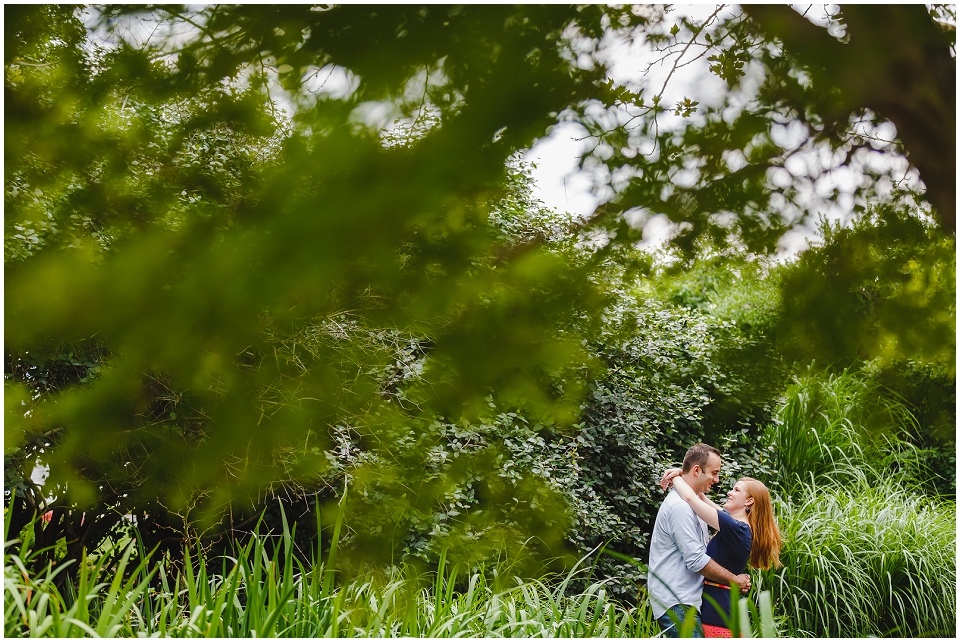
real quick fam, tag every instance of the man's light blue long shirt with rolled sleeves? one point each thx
(678, 551)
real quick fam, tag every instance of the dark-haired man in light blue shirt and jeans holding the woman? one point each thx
(678, 549)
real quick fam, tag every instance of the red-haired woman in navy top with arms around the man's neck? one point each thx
(746, 532)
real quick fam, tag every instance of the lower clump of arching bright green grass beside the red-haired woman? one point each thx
(867, 561)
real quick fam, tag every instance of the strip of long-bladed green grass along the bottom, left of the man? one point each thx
(269, 595)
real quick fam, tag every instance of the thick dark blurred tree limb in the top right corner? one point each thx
(898, 65)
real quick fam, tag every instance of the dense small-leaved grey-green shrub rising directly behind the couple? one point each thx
(668, 368)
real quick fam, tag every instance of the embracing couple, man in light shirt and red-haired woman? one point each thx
(686, 565)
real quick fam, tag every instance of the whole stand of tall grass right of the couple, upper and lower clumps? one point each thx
(869, 548)
